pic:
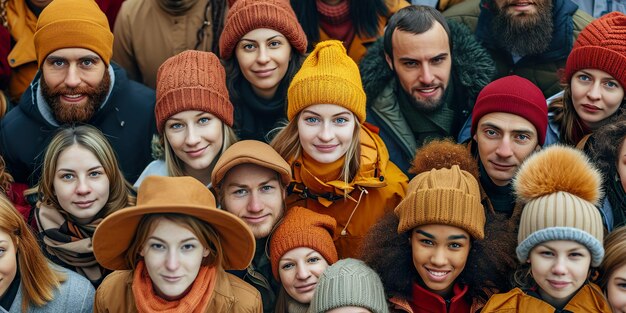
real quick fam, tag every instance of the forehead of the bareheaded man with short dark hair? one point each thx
(426, 45)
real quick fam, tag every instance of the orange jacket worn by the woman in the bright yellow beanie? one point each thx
(379, 183)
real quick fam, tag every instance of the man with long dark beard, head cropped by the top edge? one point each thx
(528, 38)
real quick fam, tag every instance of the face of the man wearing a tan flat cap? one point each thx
(254, 194)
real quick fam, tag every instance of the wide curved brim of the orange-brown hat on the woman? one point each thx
(115, 233)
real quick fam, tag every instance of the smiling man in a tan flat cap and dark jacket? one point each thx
(251, 180)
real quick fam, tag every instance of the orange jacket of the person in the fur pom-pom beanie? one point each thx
(589, 299)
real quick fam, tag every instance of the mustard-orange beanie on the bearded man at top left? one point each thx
(73, 24)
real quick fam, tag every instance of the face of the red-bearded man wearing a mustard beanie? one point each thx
(75, 82)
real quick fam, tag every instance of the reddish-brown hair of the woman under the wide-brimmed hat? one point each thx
(205, 233)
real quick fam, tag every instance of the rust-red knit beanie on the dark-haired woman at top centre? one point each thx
(247, 15)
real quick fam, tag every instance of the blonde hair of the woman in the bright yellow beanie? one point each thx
(287, 144)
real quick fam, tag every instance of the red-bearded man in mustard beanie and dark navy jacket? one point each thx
(76, 83)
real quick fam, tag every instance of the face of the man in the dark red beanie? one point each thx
(504, 140)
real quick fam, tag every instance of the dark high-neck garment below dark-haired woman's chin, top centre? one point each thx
(256, 116)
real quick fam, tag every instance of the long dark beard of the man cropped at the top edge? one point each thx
(524, 34)
